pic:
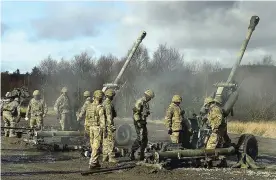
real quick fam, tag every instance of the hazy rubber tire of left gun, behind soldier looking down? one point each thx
(123, 135)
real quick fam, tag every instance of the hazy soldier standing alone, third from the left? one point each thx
(63, 109)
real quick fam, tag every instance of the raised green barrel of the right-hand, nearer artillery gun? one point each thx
(253, 23)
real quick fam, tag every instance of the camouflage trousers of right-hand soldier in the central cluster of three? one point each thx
(108, 146)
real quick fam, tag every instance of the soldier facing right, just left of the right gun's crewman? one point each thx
(176, 123)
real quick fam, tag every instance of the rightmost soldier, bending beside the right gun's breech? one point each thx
(218, 124)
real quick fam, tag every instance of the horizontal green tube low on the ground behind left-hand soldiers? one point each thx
(58, 133)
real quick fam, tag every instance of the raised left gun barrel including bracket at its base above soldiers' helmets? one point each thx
(115, 85)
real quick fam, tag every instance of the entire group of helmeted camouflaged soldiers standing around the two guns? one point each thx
(98, 113)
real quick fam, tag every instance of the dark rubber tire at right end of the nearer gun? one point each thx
(248, 144)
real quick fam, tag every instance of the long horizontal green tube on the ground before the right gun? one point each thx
(177, 154)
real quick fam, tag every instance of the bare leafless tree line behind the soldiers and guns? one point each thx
(166, 73)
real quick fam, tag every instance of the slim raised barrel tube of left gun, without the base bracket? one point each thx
(133, 50)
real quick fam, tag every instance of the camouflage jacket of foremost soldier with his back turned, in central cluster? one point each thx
(95, 115)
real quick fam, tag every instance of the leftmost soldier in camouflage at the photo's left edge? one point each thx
(11, 114)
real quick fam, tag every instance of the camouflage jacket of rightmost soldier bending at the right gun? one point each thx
(215, 116)
